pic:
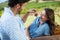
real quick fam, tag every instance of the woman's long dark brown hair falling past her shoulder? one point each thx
(51, 21)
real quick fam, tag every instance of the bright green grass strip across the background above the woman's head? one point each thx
(41, 5)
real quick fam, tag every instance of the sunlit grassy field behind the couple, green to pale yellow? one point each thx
(39, 6)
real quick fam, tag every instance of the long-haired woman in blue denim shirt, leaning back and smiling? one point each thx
(43, 25)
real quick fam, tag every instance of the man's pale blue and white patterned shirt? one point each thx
(12, 26)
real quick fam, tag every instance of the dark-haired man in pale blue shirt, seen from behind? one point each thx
(12, 25)
